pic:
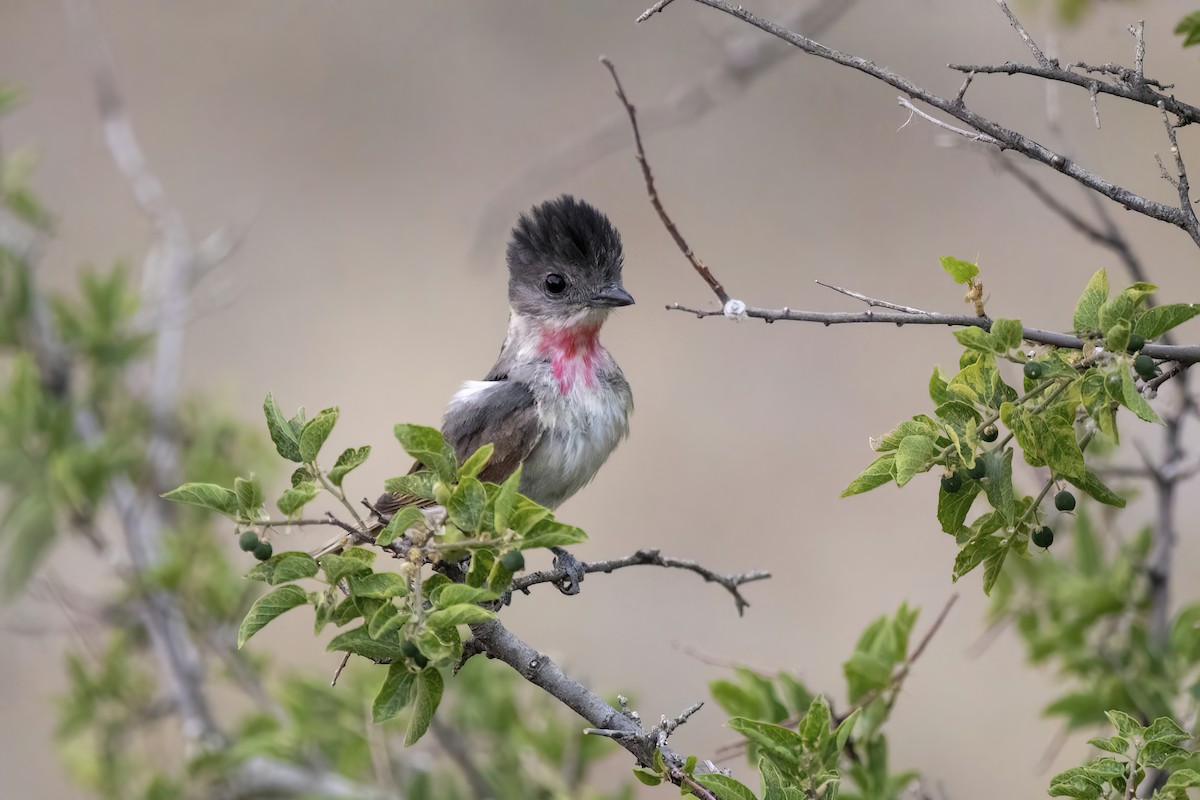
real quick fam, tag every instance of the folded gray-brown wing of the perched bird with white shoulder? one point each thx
(502, 413)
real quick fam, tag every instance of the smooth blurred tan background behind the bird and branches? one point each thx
(358, 145)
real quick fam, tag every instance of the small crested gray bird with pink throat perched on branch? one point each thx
(555, 402)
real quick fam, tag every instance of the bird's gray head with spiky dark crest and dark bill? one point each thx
(565, 261)
